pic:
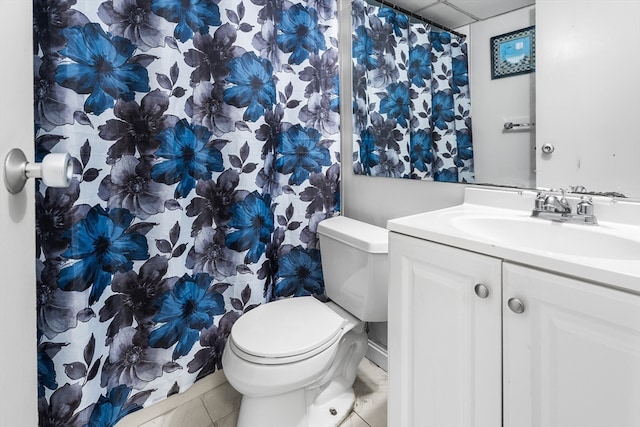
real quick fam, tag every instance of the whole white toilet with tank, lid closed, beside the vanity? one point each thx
(295, 360)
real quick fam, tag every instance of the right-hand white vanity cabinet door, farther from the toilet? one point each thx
(572, 357)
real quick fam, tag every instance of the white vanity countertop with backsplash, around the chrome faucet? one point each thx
(616, 219)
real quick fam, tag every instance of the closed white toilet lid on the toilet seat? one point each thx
(287, 327)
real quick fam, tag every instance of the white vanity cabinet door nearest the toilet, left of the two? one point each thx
(444, 340)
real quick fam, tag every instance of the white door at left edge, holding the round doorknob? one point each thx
(18, 379)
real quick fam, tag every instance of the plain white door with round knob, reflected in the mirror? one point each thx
(588, 105)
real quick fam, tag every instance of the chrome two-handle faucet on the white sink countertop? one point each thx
(554, 208)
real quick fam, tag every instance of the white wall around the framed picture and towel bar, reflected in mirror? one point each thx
(505, 157)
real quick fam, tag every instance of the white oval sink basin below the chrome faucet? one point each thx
(587, 241)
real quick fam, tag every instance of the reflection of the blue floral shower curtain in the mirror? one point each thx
(412, 111)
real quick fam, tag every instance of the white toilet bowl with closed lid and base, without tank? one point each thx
(287, 377)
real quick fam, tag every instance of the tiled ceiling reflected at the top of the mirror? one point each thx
(456, 13)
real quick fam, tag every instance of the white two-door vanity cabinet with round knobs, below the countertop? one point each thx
(477, 341)
